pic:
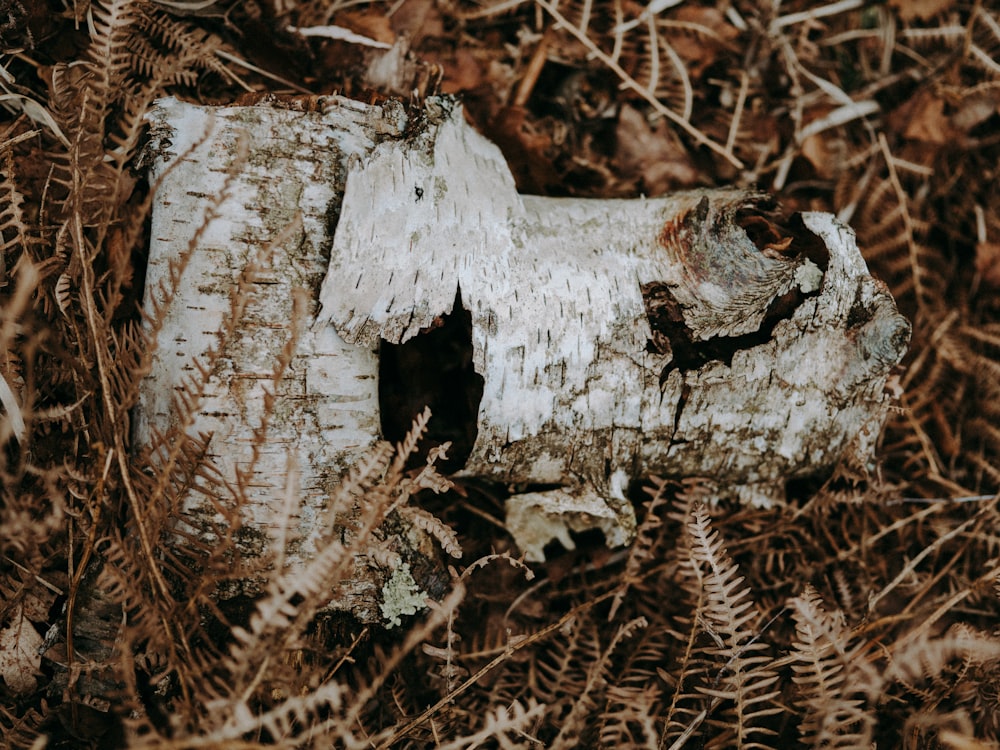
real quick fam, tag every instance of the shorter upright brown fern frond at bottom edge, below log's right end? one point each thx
(832, 677)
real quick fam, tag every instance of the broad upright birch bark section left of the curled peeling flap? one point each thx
(288, 169)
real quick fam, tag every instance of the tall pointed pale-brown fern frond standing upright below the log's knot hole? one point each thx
(743, 674)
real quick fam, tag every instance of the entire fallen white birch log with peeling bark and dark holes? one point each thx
(684, 335)
